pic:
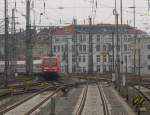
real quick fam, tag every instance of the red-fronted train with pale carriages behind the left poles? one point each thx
(46, 66)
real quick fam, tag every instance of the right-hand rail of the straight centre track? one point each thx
(104, 102)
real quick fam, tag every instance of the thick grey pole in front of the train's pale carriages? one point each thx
(29, 61)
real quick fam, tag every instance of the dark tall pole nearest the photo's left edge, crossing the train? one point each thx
(6, 44)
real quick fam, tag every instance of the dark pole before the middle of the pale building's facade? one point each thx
(90, 59)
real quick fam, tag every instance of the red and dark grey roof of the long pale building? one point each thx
(95, 29)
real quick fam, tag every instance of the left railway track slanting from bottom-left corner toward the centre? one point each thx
(25, 106)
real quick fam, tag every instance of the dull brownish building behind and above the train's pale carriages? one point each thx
(41, 43)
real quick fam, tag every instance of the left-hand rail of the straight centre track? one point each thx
(83, 100)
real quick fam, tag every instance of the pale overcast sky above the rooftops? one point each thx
(79, 9)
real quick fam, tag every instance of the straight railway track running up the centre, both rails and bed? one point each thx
(93, 95)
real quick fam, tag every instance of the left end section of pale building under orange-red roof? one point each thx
(63, 46)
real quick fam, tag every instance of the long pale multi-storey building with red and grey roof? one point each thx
(72, 44)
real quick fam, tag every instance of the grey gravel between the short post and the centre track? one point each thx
(66, 104)
